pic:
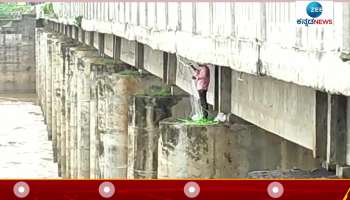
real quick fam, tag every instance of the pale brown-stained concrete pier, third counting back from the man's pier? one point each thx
(118, 88)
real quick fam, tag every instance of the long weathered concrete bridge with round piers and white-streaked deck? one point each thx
(288, 95)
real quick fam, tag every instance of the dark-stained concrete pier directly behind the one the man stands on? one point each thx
(145, 114)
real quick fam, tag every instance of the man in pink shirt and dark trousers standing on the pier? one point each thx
(202, 77)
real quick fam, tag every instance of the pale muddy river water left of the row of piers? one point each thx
(25, 151)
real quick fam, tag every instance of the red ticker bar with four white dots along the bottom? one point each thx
(175, 189)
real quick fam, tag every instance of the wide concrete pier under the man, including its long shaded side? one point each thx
(222, 151)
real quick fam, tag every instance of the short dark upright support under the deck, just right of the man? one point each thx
(224, 87)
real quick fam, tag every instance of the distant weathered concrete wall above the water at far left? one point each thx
(17, 55)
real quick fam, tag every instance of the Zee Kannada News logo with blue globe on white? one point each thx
(314, 13)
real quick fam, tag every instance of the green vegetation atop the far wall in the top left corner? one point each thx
(9, 10)
